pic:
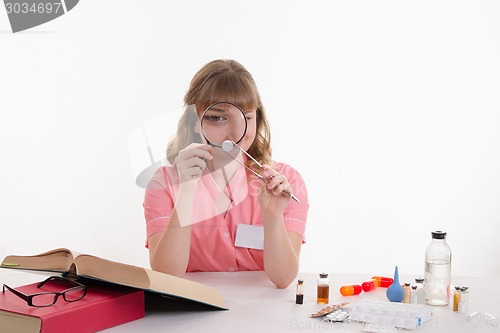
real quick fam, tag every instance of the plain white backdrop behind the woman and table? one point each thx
(389, 109)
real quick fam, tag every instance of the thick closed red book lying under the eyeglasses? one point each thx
(103, 306)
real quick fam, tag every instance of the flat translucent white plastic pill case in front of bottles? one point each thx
(391, 314)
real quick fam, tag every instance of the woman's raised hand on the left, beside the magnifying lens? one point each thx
(190, 162)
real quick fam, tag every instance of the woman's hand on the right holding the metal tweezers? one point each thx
(273, 201)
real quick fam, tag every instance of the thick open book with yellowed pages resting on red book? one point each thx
(95, 268)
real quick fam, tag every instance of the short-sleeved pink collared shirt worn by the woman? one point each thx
(212, 239)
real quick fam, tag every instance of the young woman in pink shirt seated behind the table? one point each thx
(200, 211)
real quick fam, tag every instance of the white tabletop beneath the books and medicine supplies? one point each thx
(256, 305)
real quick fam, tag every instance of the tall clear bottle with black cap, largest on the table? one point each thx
(437, 270)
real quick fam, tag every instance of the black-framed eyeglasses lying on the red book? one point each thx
(44, 299)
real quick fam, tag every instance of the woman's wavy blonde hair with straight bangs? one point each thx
(221, 81)
